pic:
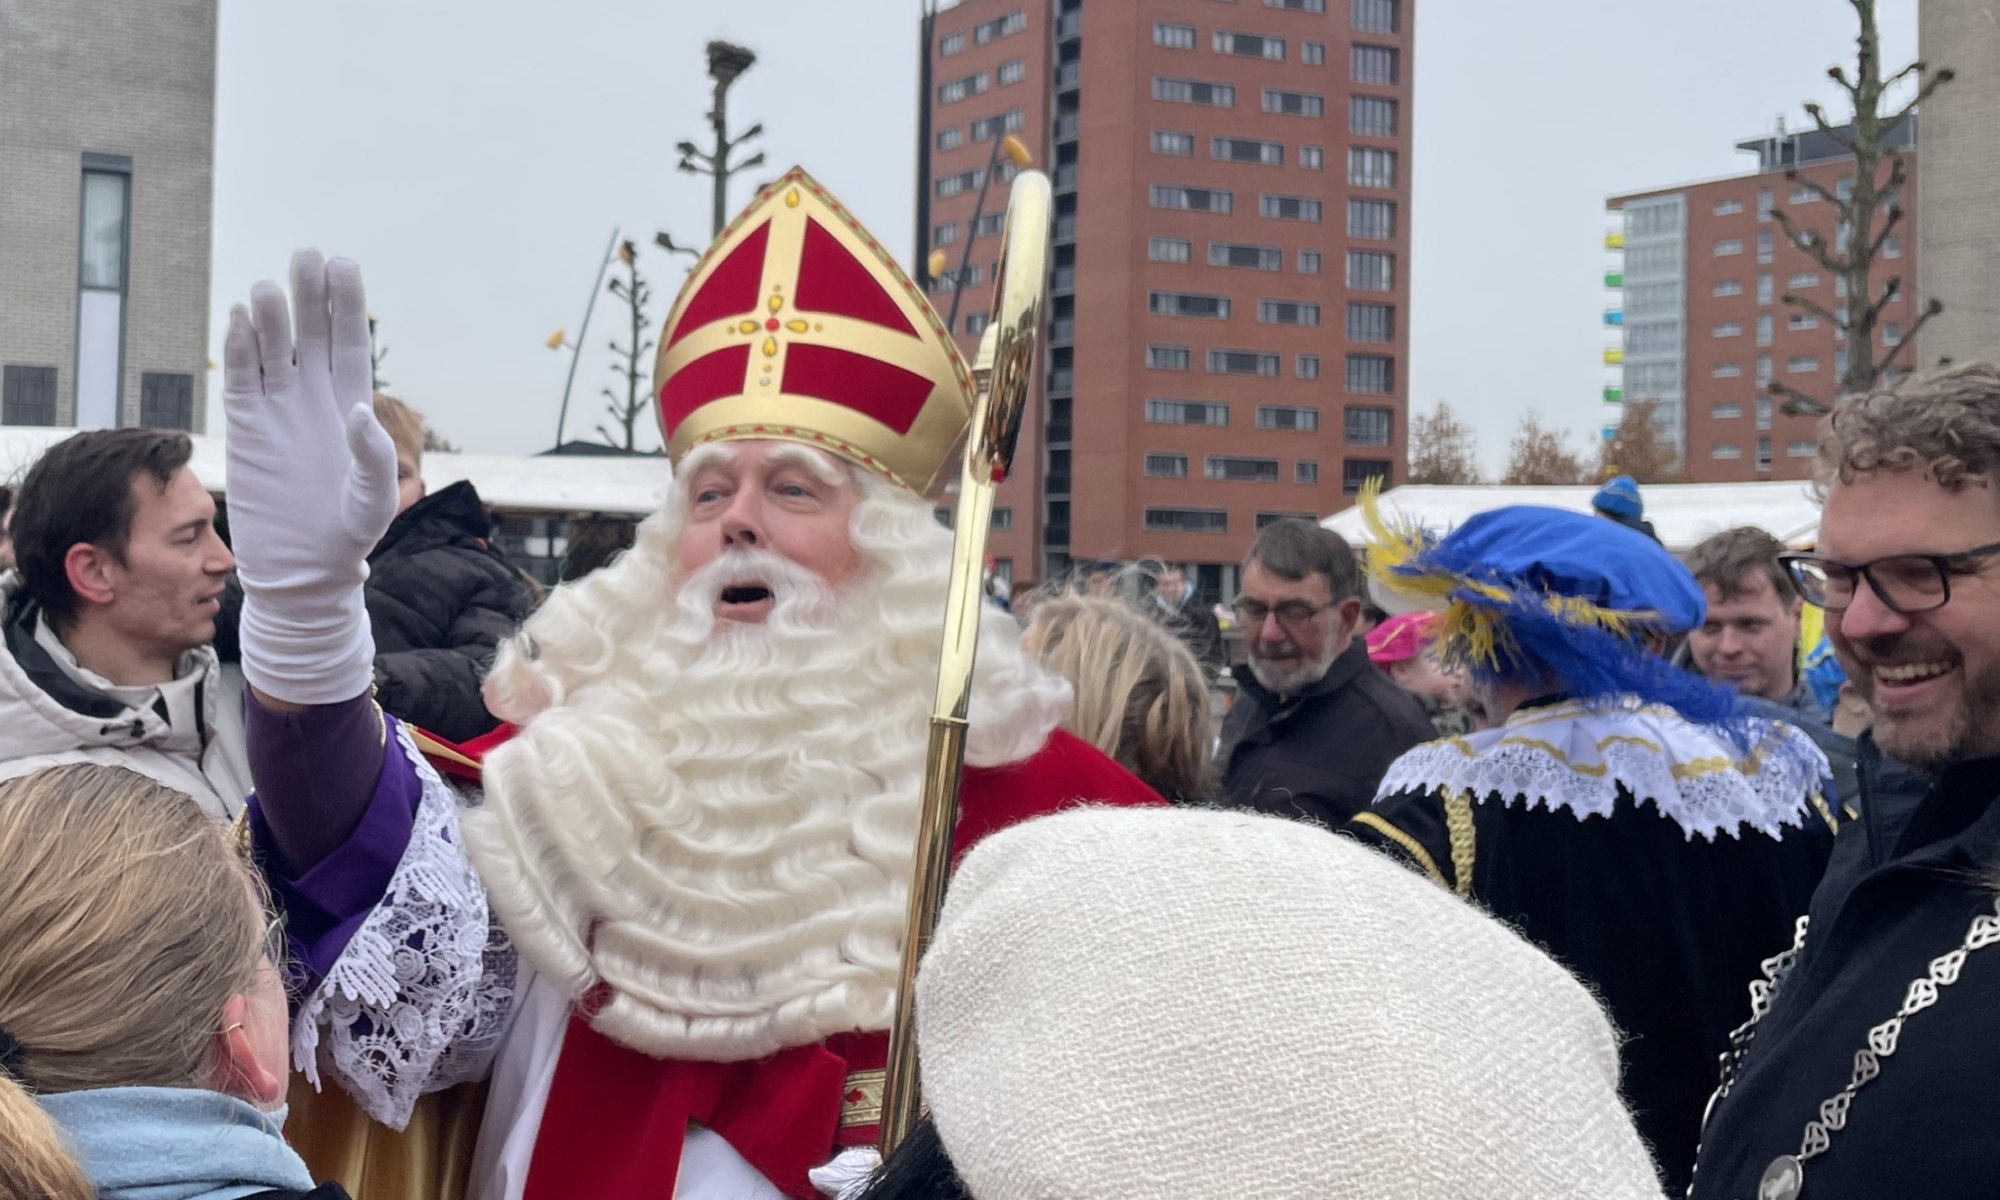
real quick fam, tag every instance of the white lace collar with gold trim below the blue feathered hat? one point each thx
(1577, 757)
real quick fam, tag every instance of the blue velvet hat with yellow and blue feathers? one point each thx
(1529, 591)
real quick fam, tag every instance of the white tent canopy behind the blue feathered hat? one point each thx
(1683, 515)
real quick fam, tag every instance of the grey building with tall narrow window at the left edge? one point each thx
(107, 179)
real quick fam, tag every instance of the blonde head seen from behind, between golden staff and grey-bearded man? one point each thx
(1141, 697)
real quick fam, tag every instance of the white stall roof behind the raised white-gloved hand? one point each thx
(511, 483)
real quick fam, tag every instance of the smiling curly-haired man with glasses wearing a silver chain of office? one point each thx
(1871, 1057)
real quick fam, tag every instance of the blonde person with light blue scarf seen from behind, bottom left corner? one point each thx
(143, 1013)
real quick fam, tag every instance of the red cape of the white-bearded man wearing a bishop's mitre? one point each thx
(617, 1119)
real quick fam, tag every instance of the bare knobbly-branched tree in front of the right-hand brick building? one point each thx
(1859, 239)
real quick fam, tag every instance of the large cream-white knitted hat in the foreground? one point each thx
(1189, 1005)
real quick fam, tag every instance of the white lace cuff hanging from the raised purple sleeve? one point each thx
(423, 993)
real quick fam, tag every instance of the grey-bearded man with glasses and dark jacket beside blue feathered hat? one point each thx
(1315, 723)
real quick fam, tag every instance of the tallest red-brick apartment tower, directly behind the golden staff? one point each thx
(1229, 295)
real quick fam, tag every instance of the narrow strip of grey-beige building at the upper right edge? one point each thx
(1959, 175)
